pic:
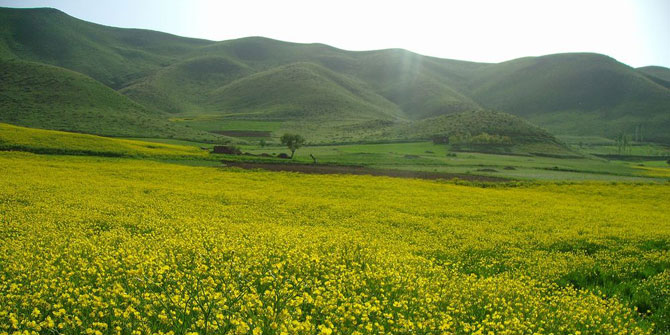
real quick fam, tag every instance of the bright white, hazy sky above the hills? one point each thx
(635, 32)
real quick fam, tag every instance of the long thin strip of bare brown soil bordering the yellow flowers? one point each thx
(361, 170)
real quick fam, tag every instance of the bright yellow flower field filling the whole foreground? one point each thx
(122, 246)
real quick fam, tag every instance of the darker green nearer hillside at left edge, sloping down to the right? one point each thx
(44, 96)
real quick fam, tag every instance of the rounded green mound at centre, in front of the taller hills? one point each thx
(301, 91)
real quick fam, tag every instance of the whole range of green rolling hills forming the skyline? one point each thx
(257, 78)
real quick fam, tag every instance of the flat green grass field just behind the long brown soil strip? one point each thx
(426, 156)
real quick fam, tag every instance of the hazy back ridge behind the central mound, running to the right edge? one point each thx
(583, 94)
